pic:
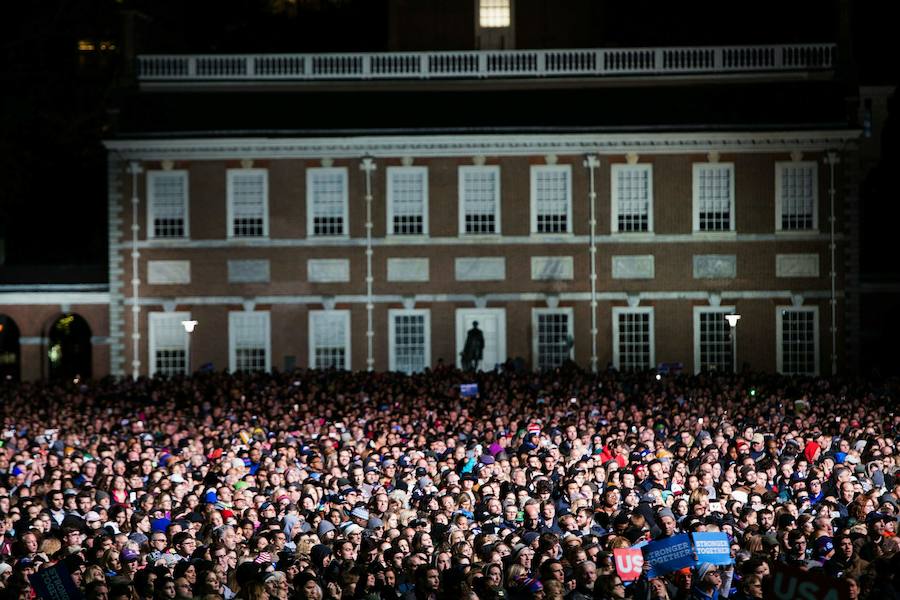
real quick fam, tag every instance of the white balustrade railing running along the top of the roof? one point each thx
(485, 64)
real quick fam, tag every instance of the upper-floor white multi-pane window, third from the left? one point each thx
(326, 202)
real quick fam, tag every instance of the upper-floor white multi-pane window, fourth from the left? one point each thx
(407, 200)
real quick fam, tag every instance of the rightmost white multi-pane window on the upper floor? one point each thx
(796, 196)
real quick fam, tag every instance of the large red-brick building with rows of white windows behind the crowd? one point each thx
(361, 211)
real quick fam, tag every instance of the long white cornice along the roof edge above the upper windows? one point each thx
(489, 145)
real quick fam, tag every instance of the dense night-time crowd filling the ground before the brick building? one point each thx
(323, 484)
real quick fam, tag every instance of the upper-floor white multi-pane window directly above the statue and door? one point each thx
(479, 200)
